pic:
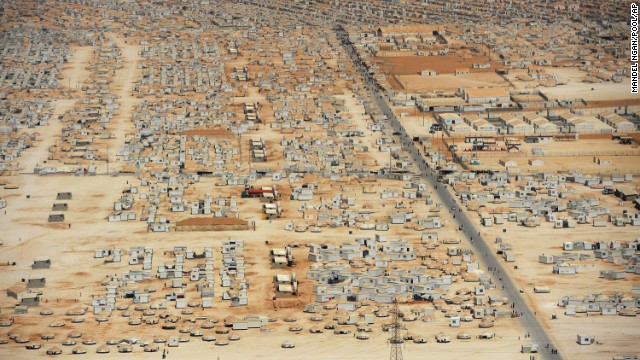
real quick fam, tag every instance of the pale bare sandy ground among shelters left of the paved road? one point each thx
(75, 276)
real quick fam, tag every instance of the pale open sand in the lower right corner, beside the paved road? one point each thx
(613, 333)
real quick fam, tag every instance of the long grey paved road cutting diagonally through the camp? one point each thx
(528, 319)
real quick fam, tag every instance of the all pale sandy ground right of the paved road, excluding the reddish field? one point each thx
(614, 334)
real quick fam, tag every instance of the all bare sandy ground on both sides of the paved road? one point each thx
(76, 276)
